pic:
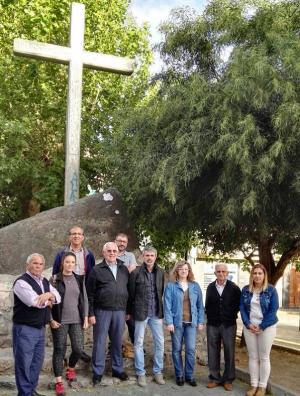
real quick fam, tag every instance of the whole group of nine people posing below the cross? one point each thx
(118, 291)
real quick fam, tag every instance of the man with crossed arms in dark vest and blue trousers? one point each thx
(33, 298)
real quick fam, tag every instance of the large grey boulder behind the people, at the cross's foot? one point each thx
(100, 215)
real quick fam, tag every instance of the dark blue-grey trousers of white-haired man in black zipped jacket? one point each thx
(109, 323)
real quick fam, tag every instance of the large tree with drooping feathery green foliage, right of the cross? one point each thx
(216, 152)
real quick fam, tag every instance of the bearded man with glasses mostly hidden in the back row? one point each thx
(129, 261)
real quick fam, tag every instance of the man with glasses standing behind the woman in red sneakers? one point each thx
(85, 259)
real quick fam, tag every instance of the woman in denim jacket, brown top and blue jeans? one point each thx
(184, 314)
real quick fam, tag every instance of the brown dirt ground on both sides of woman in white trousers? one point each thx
(285, 367)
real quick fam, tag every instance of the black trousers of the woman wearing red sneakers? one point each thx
(59, 336)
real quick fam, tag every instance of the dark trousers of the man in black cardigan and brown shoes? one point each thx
(216, 335)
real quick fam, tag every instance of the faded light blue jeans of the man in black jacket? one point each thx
(156, 326)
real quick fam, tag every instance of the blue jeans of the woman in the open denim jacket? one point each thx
(187, 335)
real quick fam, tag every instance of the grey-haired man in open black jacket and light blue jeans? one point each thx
(146, 286)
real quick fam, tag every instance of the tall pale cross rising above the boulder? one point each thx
(76, 57)
